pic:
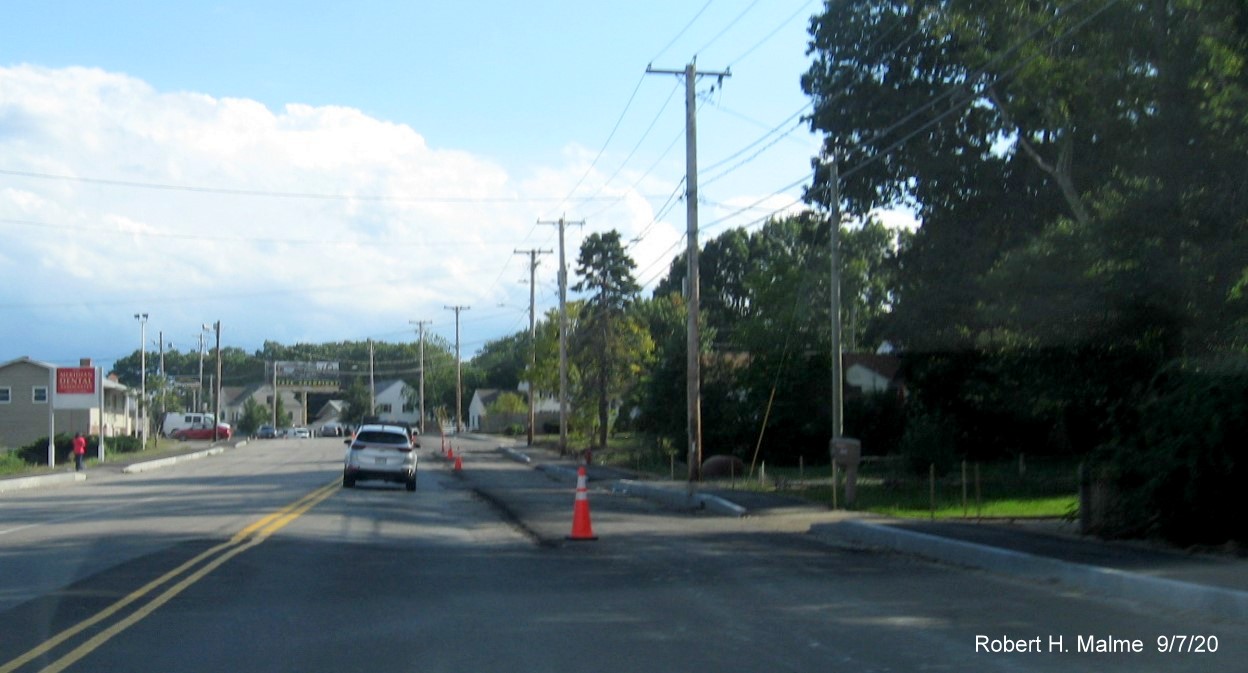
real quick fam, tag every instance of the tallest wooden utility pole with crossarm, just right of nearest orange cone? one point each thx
(693, 341)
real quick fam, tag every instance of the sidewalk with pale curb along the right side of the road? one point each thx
(1211, 584)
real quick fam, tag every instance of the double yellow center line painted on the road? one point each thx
(185, 576)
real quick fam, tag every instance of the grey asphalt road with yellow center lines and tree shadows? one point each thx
(258, 561)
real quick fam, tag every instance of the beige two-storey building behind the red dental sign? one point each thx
(28, 405)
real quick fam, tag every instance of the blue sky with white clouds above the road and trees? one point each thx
(323, 172)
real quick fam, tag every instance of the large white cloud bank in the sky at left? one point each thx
(299, 224)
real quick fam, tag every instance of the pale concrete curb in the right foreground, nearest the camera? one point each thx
(1171, 594)
